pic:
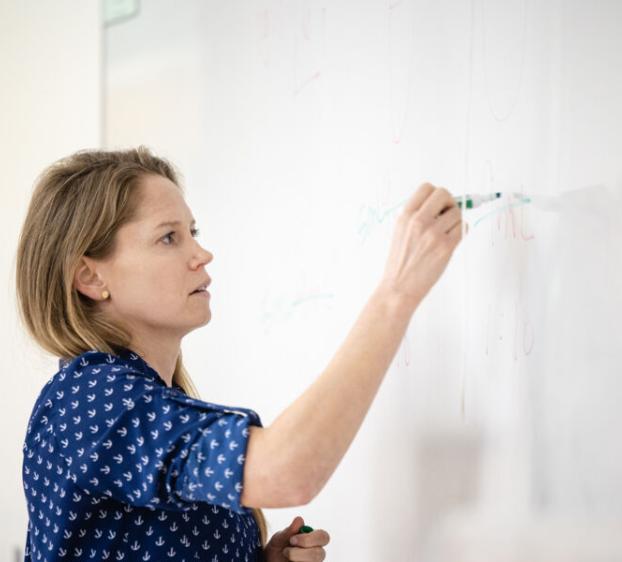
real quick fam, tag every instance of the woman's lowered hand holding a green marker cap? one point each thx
(308, 549)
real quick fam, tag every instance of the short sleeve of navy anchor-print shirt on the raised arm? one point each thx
(148, 445)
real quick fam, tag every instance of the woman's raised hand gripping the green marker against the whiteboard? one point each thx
(426, 234)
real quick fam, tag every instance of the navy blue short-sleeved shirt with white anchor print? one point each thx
(119, 466)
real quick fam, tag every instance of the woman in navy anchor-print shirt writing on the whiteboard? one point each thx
(122, 460)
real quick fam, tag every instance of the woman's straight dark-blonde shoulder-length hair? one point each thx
(78, 204)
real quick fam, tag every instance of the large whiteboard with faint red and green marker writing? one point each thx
(301, 128)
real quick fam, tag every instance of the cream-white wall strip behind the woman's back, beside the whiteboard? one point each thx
(50, 105)
